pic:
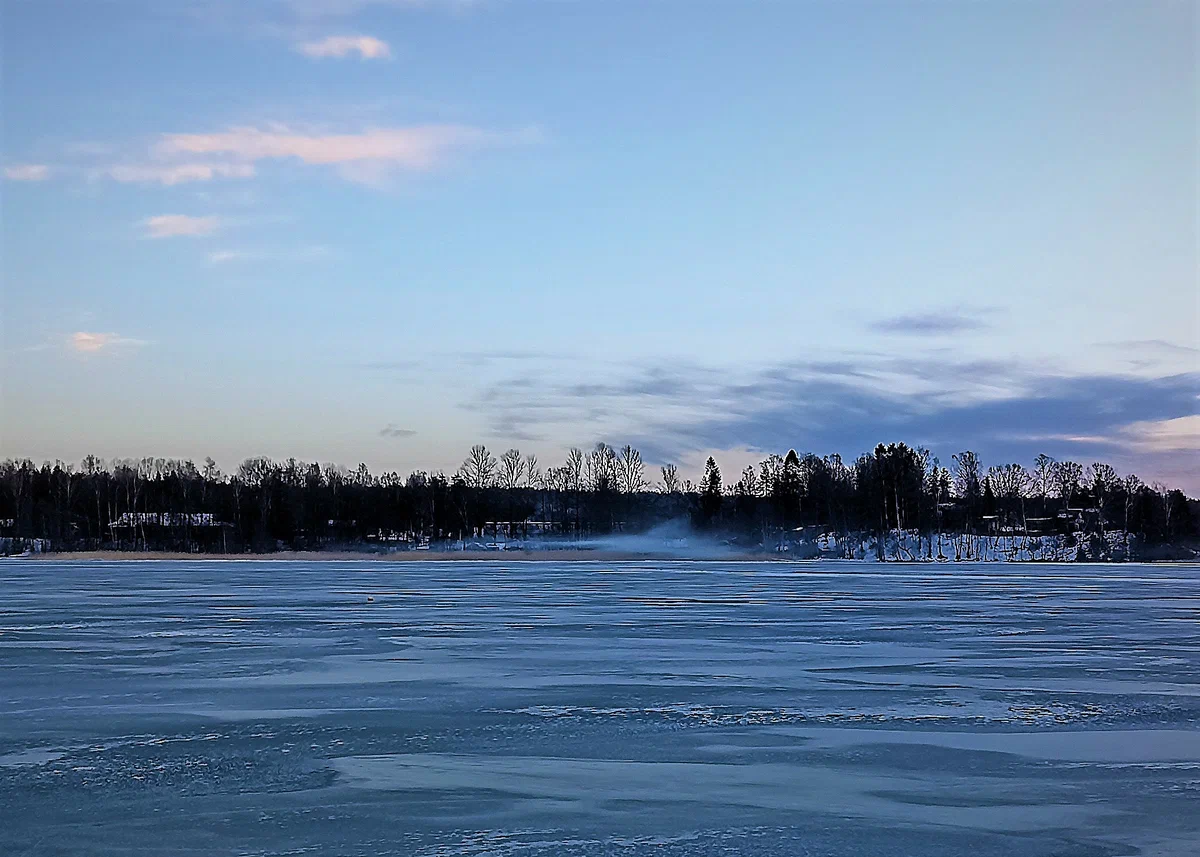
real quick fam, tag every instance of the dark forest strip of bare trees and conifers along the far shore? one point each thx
(269, 506)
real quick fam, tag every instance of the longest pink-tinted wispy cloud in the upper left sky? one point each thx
(361, 157)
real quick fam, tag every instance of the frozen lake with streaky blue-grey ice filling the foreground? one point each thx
(598, 709)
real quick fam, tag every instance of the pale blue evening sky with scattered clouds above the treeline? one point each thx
(382, 231)
